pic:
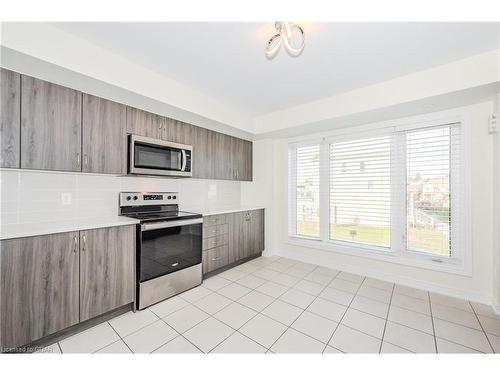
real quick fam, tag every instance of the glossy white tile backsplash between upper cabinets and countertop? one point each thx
(34, 196)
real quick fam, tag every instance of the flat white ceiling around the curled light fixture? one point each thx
(226, 60)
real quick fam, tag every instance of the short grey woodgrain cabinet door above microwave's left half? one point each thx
(145, 123)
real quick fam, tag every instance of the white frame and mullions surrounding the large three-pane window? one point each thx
(461, 260)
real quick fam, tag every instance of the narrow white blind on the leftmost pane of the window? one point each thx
(307, 180)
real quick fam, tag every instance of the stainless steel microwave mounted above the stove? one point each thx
(149, 156)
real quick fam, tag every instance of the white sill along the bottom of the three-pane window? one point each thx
(372, 252)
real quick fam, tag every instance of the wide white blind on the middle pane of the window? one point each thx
(360, 191)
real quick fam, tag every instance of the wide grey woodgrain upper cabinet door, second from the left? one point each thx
(50, 126)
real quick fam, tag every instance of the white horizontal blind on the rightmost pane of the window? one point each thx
(432, 171)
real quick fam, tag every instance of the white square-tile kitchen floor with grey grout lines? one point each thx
(279, 305)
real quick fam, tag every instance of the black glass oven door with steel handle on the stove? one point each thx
(167, 247)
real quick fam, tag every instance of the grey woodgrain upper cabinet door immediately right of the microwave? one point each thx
(203, 153)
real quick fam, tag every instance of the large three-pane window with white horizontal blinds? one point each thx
(397, 193)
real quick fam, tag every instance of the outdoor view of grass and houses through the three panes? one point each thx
(360, 193)
